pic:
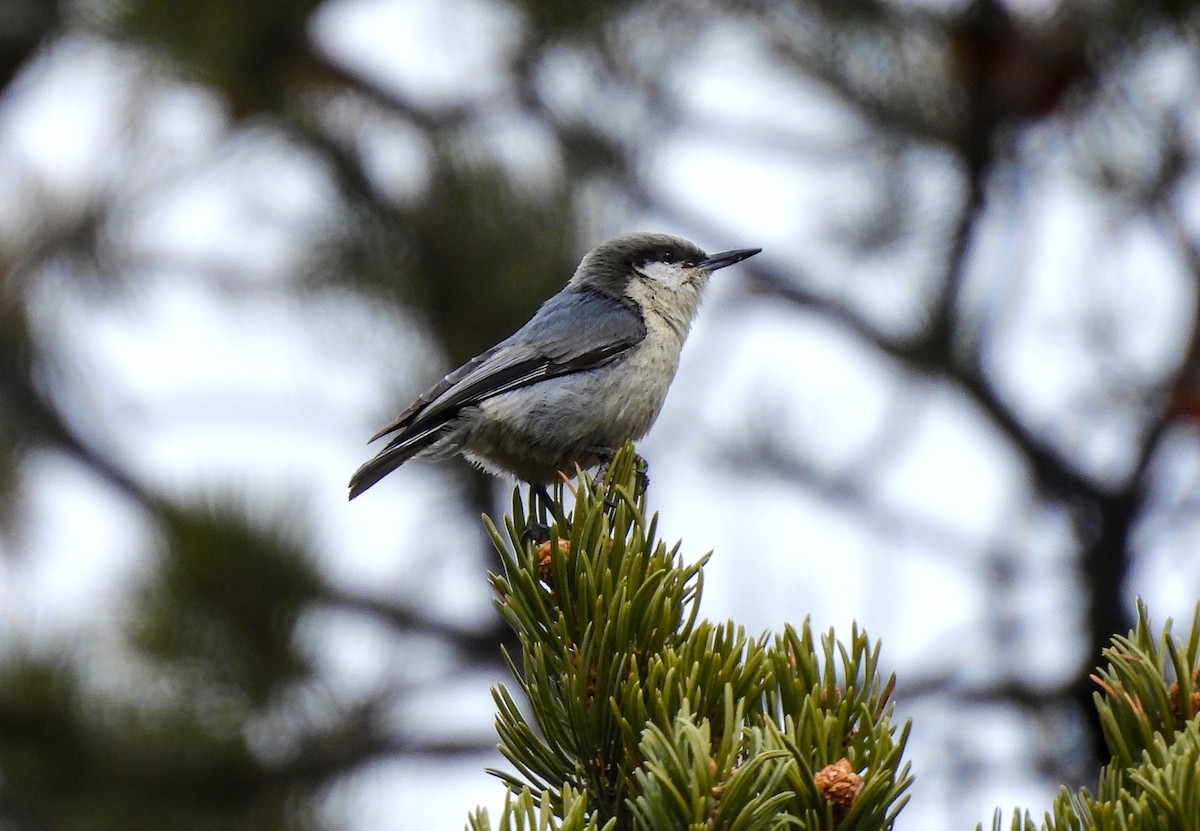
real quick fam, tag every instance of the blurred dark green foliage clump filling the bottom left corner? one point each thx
(74, 761)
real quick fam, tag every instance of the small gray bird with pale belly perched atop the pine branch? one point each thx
(589, 372)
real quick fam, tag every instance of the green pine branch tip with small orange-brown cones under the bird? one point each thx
(638, 715)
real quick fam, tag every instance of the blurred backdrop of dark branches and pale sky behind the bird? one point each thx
(956, 399)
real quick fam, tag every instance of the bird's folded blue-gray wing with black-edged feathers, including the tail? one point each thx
(573, 332)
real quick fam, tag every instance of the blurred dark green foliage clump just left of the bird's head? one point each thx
(506, 241)
